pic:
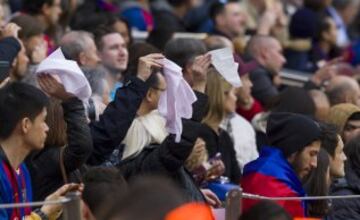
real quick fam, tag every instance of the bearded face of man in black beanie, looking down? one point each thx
(306, 160)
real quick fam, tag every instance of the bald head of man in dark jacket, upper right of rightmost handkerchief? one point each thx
(267, 51)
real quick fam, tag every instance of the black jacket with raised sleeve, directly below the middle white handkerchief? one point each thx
(167, 159)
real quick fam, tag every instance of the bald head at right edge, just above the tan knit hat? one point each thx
(343, 89)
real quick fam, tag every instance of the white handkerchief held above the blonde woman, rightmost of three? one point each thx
(224, 63)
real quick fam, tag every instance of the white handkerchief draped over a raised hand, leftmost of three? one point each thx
(69, 73)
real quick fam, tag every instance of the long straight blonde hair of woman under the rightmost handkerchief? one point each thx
(216, 89)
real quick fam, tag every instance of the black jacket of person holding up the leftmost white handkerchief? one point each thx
(44, 166)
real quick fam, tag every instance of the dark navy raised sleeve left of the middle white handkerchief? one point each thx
(111, 129)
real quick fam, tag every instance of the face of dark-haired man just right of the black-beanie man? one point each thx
(337, 161)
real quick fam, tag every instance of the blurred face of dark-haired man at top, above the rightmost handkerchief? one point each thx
(234, 19)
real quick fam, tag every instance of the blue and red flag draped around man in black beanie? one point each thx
(272, 175)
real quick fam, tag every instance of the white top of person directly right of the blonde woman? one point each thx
(244, 138)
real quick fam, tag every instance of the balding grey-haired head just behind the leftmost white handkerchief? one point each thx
(80, 46)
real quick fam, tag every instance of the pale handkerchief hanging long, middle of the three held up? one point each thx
(176, 102)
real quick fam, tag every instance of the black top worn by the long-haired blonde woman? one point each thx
(222, 143)
